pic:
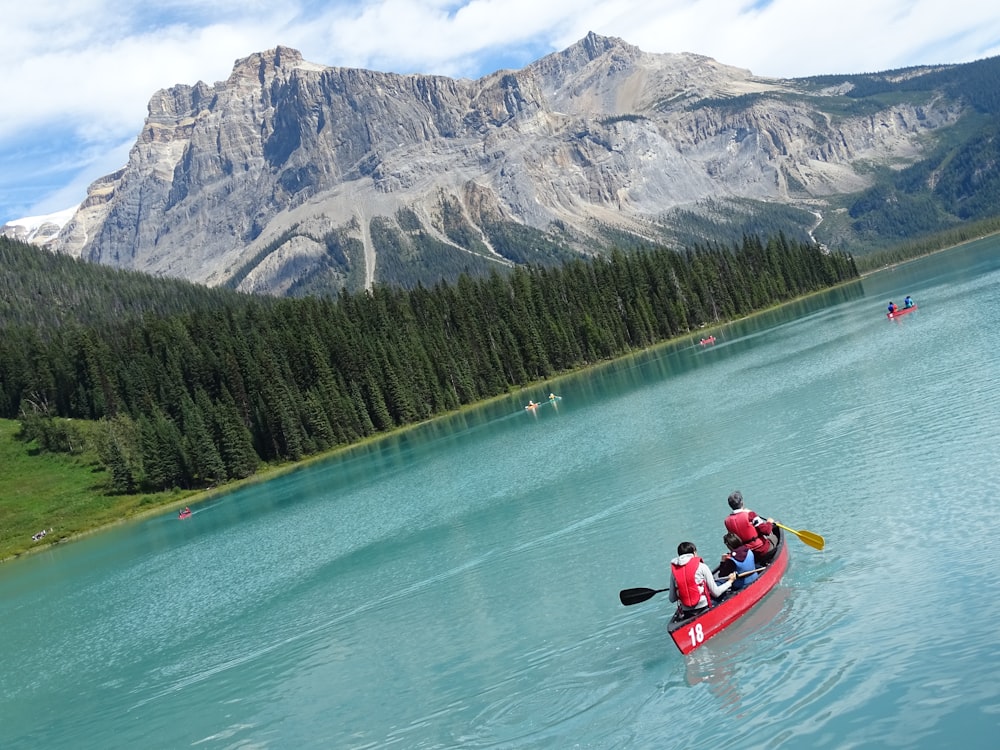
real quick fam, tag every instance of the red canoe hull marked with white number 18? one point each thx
(690, 632)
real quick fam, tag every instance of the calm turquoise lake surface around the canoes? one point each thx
(457, 586)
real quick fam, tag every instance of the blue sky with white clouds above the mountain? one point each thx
(77, 76)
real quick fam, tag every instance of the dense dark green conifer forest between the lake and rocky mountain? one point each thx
(171, 386)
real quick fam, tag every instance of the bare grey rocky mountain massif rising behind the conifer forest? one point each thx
(246, 181)
